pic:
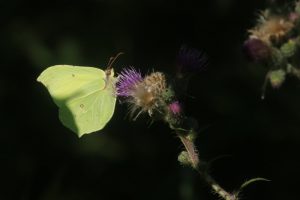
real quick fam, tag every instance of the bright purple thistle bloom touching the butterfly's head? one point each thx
(128, 80)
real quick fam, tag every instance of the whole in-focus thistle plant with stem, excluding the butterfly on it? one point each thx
(155, 96)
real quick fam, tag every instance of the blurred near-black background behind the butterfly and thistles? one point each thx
(41, 159)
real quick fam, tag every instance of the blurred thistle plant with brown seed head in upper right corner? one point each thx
(274, 43)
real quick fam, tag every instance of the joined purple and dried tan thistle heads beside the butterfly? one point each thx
(143, 94)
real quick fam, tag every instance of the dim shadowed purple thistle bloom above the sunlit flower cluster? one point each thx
(190, 60)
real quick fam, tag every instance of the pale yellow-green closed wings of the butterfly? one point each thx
(86, 102)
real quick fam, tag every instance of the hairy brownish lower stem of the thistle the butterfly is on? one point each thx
(201, 169)
